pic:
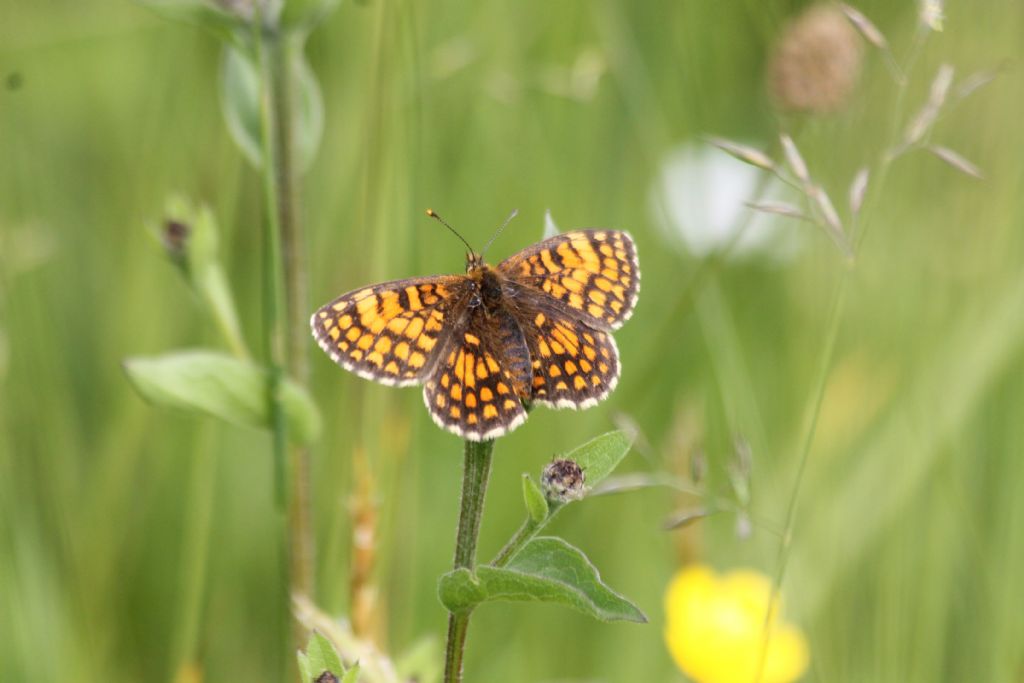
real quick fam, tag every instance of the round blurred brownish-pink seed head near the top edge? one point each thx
(817, 63)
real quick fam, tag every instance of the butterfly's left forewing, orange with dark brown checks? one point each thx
(391, 333)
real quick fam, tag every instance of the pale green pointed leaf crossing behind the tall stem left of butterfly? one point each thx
(223, 387)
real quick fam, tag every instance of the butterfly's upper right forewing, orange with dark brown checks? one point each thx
(594, 272)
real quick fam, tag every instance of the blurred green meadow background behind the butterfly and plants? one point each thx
(135, 541)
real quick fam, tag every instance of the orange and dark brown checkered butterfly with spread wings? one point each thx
(535, 329)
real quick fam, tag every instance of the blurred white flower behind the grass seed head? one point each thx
(700, 202)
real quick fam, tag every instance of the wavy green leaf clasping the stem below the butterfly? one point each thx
(547, 570)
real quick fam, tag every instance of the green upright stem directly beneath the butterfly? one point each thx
(477, 471)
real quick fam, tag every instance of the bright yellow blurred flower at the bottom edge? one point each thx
(715, 628)
